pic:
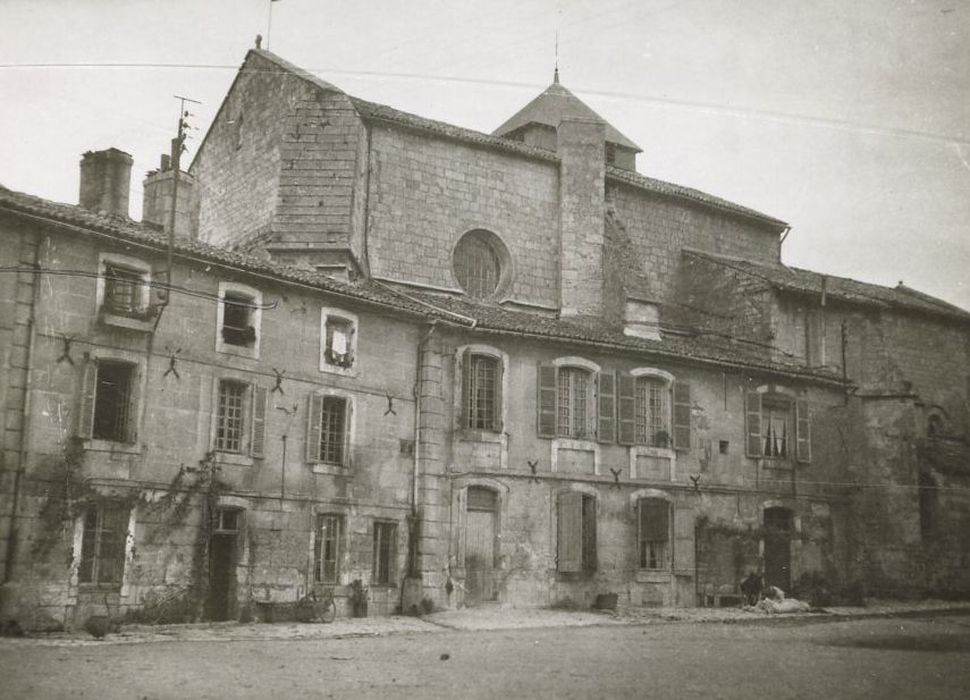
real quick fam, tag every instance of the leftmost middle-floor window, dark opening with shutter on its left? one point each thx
(107, 409)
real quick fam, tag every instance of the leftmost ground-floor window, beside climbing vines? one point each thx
(105, 530)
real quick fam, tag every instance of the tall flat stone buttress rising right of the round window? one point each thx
(582, 210)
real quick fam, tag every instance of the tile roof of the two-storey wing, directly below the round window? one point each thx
(702, 348)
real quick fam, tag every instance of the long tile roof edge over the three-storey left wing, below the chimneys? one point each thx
(124, 229)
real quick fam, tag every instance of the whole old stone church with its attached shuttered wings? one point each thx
(442, 367)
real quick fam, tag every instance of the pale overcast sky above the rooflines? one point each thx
(848, 119)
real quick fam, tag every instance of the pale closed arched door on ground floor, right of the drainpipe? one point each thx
(480, 530)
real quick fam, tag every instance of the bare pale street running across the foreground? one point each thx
(927, 657)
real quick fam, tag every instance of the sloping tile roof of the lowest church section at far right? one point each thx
(795, 279)
